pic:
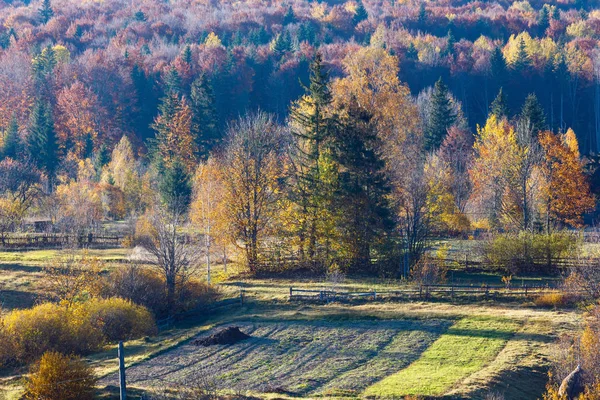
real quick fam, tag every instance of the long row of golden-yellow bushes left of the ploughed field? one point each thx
(80, 329)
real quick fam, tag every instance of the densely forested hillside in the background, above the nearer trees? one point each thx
(112, 59)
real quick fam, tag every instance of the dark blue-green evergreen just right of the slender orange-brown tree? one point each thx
(204, 120)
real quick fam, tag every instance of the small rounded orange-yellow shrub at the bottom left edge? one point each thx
(59, 377)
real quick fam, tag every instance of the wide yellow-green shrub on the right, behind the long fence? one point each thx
(529, 252)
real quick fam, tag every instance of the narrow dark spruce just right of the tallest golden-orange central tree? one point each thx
(441, 118)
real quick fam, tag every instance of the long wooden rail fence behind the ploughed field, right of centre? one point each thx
(421, 292)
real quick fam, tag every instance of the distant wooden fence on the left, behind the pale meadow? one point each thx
(43, 241)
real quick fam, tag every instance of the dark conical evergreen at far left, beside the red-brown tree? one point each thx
(41, 140)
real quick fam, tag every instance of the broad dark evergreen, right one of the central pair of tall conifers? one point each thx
(363, 215)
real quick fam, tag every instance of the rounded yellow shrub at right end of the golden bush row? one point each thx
(119, 319)
